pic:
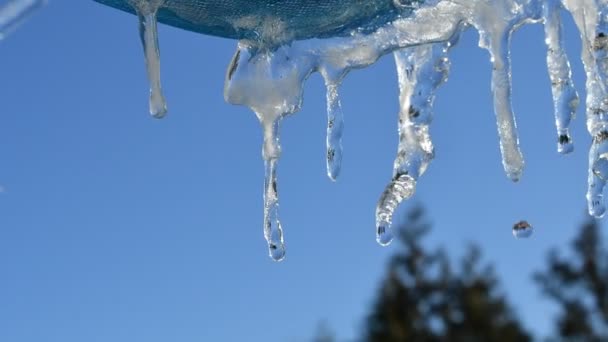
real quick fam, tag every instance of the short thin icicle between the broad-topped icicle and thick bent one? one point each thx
(335, 127)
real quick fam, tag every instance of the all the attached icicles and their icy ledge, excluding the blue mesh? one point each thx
(269, 80)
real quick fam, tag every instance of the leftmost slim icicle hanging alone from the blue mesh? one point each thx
(148, 32)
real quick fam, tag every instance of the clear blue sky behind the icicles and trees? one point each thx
(118, 227)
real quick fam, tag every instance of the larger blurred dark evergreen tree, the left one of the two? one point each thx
(422, 297)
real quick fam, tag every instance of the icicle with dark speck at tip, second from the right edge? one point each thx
(565, 97)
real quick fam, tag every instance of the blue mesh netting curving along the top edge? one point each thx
(302, 18)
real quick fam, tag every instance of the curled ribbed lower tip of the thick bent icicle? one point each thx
(400, 188)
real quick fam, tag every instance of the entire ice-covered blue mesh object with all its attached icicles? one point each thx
(282, 43)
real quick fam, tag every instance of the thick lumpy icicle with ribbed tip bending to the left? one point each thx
(420, 70)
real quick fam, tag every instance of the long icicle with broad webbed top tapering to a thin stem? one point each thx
(270, 84)
